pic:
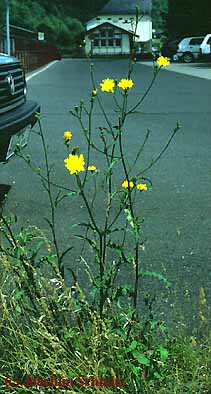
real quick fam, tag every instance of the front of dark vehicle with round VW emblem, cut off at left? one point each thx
(17, 114)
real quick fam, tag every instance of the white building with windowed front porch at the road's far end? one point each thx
(111, 31)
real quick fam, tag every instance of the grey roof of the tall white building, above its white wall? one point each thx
(123, 7)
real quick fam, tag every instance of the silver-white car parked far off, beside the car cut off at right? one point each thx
(189, 49)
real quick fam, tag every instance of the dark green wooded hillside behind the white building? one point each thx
(63, 21)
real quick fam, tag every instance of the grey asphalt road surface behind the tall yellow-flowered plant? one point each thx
(177, 209)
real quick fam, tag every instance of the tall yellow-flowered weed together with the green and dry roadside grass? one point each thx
(92, 337)
